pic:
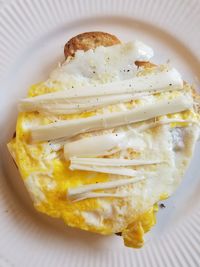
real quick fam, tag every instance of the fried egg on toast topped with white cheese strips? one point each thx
(106, 137)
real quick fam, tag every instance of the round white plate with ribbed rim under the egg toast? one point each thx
(32, 36)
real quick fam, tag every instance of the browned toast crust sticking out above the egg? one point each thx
(89, 40)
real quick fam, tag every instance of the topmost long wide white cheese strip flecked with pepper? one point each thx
(81, 99)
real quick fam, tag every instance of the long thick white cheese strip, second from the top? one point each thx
(69, 128)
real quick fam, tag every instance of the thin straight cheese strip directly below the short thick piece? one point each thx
(113, 162)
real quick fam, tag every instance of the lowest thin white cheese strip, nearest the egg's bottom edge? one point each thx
(99, 195)
